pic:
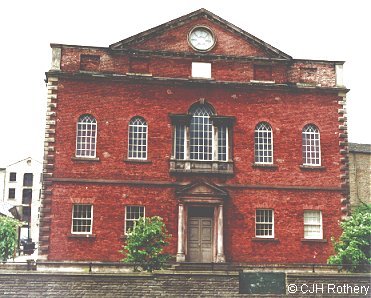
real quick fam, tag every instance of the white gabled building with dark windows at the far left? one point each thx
(21, 182)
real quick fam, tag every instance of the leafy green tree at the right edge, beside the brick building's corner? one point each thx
(353, 249)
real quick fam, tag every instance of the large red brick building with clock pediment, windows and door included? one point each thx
(239, 147)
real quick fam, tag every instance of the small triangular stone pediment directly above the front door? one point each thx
(201, 189)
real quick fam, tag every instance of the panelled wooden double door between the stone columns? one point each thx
(200, 239)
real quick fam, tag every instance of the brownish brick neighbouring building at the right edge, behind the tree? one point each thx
(360, 173)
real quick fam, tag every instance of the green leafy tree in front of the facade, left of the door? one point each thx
(145, 244)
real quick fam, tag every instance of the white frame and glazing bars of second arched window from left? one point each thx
(134, 153)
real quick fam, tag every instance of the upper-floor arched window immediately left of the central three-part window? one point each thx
(137, 138)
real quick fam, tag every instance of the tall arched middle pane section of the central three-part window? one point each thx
(201, 133)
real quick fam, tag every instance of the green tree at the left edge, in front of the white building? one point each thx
(8, 237)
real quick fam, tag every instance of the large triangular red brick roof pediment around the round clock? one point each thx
(173, 37)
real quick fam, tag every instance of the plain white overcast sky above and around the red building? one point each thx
(316, 29)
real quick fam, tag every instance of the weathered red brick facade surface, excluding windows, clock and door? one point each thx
(115, 84)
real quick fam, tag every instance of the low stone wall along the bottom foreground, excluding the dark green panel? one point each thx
(224, 284)
